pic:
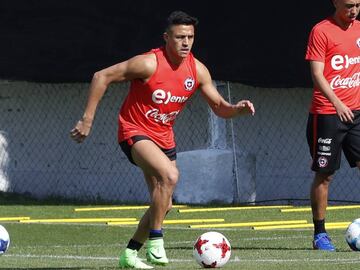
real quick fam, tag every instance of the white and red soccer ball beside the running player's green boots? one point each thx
(212, 250)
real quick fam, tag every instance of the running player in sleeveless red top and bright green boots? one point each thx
(162, 80)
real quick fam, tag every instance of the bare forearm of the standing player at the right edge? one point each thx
(319, 80)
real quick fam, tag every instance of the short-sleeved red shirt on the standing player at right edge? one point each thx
(339, 50)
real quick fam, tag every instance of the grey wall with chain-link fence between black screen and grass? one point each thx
(248, 159)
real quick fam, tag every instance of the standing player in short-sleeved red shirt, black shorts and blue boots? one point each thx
(334, 120)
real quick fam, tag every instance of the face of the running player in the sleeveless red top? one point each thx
(179, 40)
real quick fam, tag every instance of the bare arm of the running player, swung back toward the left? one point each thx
(139, 67)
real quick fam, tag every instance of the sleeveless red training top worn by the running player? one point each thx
(151, 108)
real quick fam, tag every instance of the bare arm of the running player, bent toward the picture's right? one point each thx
(218, 104)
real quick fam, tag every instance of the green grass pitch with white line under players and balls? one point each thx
(97, 245)
